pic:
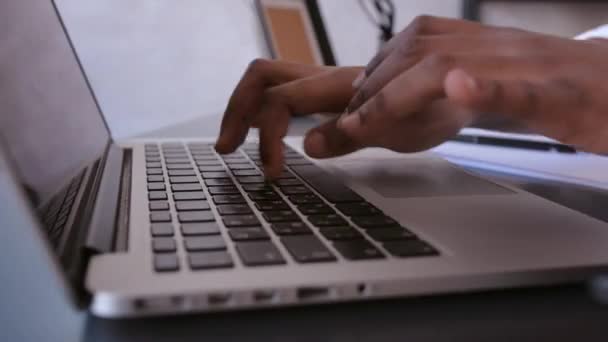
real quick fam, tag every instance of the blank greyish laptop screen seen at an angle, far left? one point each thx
(49, 119)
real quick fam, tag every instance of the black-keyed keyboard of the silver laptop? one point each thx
(222, 200)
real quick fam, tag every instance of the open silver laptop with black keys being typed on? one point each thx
(151, 227)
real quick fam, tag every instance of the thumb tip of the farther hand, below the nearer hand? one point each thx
(327, 141)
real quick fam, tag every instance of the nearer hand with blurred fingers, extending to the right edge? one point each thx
(440, 75)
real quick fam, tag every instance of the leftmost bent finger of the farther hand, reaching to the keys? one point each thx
(246, 100)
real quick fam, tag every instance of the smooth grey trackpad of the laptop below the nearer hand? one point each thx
(417, 177)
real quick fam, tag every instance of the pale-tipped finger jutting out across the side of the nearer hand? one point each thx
(533, 103)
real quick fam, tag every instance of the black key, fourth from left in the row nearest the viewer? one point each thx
(307, 248)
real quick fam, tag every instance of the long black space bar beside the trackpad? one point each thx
(326, 184)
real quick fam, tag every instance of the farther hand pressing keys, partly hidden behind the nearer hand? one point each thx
(270, 92)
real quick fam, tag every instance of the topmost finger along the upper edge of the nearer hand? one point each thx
(422, 25)
